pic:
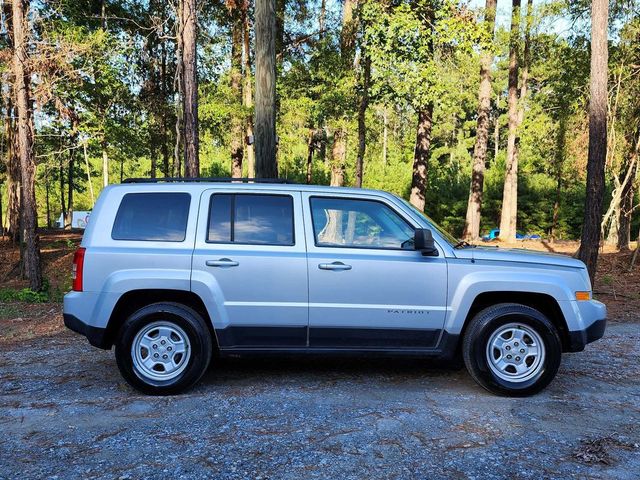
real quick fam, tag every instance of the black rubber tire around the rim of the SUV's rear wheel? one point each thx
(185, 319)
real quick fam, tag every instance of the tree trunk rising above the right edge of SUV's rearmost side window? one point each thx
(190, 80)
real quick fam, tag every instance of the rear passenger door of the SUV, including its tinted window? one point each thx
(250, 263)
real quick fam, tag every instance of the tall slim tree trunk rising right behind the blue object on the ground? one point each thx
(509, 200)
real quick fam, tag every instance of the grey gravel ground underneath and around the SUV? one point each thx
(65, 413)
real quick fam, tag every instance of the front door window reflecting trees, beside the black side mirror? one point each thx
(343, 222)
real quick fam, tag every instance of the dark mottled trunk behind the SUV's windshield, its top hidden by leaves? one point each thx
(421, 158)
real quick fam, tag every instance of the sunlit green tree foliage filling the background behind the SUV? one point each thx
(101, 88)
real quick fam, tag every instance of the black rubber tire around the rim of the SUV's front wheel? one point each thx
(479, 333)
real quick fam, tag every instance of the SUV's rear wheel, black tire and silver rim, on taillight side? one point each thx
(163, 348)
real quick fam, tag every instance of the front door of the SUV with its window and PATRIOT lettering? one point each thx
(368, 288)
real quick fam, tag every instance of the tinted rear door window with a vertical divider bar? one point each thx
(251, 219)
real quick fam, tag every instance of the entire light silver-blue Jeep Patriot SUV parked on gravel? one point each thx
(177, 273)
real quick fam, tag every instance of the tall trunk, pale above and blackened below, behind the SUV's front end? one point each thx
(590, 241)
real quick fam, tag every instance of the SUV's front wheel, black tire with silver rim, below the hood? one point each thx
(512, 349)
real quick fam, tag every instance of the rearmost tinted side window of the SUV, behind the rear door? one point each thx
(152, 217)
